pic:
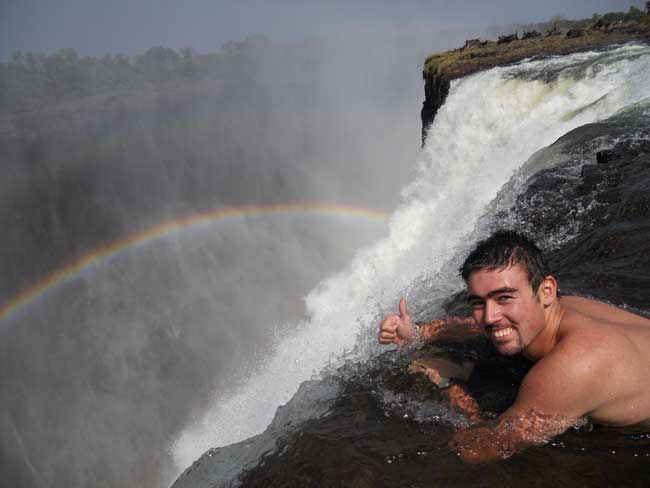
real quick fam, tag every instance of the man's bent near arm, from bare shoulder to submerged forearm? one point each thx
(555, 394)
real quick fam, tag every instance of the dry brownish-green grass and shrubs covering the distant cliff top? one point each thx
(560, 37)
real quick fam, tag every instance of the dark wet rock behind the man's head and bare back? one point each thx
(604, 210)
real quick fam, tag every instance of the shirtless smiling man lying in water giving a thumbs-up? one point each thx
(591, 359)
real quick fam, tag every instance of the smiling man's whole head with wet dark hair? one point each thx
(510, 292)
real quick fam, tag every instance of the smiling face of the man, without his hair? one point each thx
(505, 307)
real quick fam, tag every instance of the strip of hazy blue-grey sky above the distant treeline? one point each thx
(131, 26)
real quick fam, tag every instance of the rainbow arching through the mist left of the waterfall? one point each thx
(165, 229)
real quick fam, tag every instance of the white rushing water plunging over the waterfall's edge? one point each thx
(491, 123)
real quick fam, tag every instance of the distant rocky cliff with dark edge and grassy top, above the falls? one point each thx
(441, 68)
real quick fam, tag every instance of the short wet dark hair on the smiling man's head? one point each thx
(505, 248)
